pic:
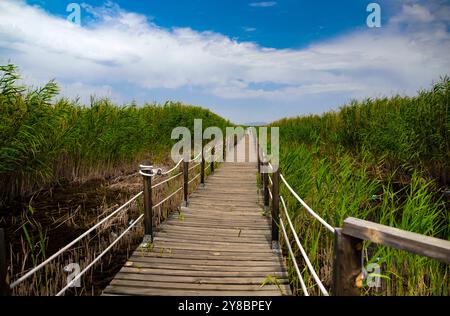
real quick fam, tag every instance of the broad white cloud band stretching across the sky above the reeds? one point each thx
(122, 47)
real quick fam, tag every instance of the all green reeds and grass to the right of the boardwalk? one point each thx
(385, 160)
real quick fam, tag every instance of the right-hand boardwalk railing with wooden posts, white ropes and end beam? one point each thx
(348, 240)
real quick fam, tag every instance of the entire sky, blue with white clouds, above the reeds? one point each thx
(246, 60)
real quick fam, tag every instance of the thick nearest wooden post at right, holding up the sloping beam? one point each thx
(346, 264)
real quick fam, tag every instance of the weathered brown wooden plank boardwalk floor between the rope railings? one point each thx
(219, 245)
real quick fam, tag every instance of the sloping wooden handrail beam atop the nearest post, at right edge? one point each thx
(431, 247)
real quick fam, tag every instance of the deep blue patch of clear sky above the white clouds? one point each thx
(278, 24)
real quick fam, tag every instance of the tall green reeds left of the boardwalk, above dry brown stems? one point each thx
(43, 141)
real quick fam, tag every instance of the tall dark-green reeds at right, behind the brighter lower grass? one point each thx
(405, 132)
